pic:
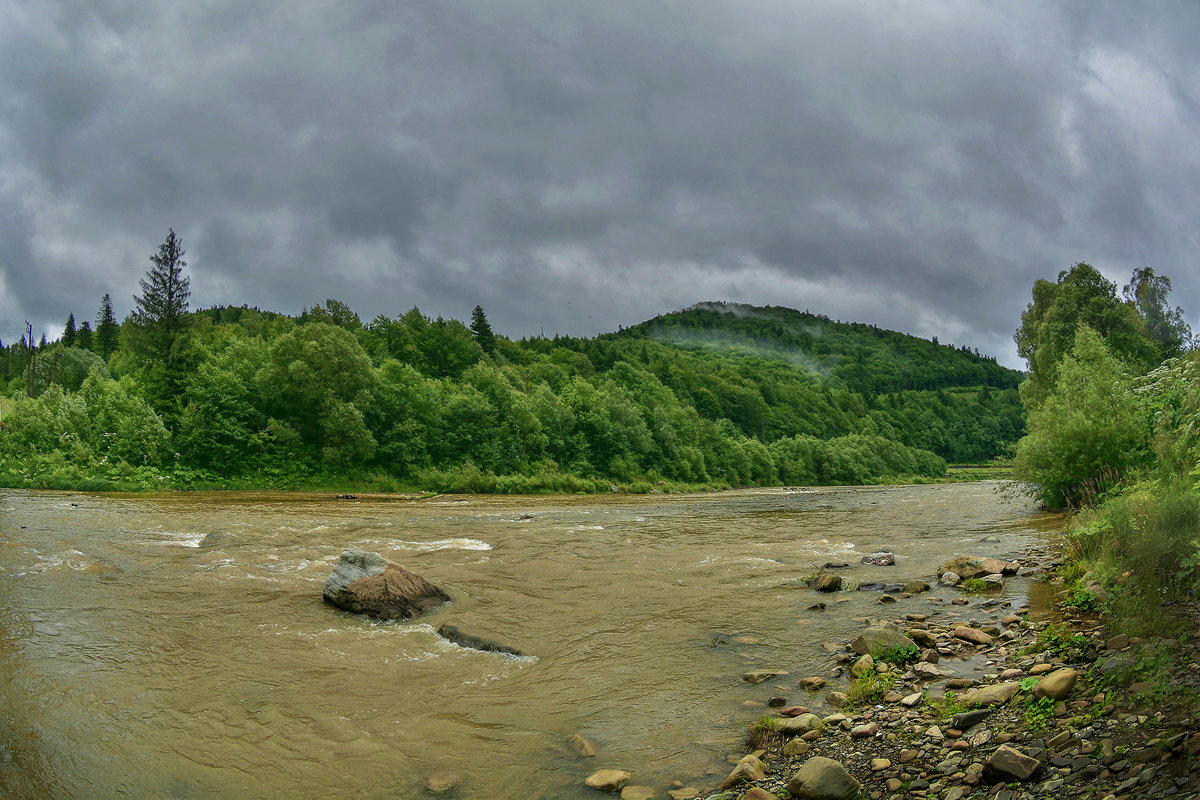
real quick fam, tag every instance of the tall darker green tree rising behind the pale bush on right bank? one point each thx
(1081, 297)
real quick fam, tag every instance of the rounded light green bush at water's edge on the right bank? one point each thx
(1089, 434)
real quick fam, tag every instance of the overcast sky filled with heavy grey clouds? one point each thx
(579, 166)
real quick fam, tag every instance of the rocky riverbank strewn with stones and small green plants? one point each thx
(999, 705)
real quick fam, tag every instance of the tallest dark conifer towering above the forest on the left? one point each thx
(160, 315)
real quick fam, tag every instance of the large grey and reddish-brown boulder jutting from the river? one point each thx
(367, 584)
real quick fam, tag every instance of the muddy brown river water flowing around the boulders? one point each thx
(178, 647)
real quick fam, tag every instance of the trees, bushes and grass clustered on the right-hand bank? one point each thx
(1114, 434)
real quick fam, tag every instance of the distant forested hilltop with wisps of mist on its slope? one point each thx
(854, 356)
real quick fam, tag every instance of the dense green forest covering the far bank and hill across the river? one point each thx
(713, 398)
